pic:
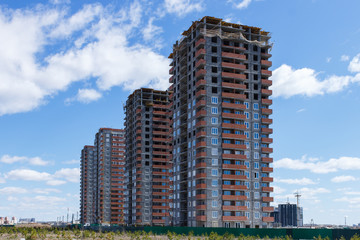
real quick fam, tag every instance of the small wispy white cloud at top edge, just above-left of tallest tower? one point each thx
(183, 7)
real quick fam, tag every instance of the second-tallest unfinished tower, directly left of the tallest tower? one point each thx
(148, 158)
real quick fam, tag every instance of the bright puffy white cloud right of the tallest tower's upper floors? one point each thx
(288, 82)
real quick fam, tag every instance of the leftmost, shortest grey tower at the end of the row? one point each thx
(87, 194)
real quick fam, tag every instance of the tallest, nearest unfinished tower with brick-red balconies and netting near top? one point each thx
(221, 126)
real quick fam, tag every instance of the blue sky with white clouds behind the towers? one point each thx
(67, 67)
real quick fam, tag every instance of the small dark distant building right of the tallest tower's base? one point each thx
(288, 215)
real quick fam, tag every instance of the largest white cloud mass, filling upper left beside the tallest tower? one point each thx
(97, 49)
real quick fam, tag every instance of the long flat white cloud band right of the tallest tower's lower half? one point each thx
(332, 165)
